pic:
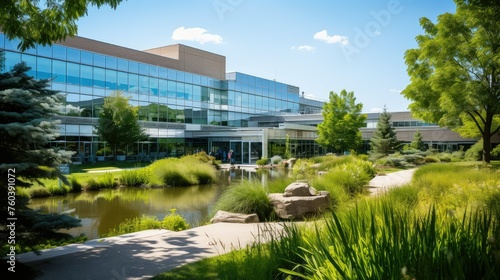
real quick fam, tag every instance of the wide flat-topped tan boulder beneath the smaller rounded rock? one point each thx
(296, 207)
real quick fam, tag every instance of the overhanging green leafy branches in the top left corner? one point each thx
(34, 22)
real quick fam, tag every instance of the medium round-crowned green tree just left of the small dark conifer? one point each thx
(342, 120)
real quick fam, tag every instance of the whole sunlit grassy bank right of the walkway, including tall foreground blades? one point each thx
(444, 225)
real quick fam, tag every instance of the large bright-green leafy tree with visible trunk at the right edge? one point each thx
(455, 71)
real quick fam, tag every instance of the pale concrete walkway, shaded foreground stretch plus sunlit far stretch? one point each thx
(144, 254)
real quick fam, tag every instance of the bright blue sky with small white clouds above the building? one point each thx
(319, 46)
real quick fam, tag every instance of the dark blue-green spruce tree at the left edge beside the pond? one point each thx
(26, 128)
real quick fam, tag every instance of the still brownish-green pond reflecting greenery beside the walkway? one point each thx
(100, 211)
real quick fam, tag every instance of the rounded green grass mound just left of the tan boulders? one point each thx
(247, 197)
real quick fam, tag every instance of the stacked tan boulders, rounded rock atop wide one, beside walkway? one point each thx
(299, 200)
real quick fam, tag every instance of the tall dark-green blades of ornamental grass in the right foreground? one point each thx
(378, 241)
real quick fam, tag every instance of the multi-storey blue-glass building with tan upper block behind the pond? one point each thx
(186, 101)
